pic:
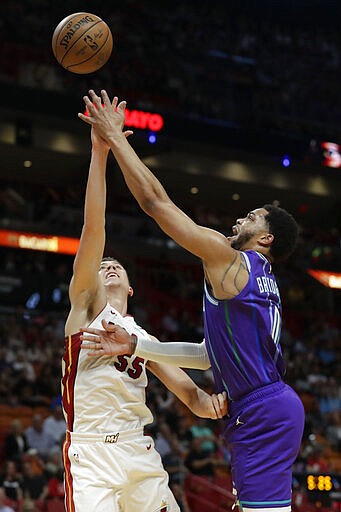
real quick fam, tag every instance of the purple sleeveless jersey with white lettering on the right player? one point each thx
(242, 334)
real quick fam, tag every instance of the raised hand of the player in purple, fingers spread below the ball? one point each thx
(108, 117)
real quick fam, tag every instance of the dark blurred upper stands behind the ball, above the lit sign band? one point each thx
(266, 66)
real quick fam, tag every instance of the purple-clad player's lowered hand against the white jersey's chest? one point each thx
(112, 340)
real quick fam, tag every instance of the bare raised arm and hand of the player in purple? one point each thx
(207, 244)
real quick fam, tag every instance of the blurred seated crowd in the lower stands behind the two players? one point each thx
(167, 302)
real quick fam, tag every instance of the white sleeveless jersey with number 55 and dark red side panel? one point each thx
(104, 394)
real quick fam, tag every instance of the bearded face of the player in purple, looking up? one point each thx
(248, 227)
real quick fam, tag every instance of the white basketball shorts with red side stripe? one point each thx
(115, 472)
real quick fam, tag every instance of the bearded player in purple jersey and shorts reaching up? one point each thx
(242, 320)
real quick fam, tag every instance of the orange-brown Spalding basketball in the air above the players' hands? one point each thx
(82, 43)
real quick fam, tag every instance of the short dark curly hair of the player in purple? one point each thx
(285, 230)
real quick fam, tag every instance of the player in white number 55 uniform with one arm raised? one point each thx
(110, 466)
